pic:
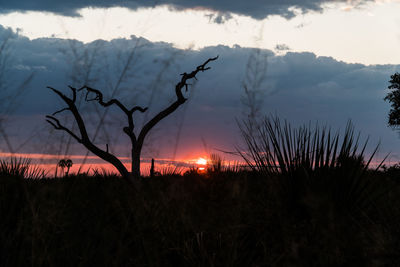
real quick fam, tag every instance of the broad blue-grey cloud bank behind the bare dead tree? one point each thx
(300, 87)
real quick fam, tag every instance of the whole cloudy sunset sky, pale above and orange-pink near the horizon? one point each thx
(326, 62)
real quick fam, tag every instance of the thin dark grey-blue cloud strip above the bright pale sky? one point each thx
(255, 8)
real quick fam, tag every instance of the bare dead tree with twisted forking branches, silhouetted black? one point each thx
(136, 141)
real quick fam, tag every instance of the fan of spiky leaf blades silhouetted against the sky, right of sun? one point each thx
(276, 148)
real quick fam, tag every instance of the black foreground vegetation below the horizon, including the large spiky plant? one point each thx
(324, 207)
